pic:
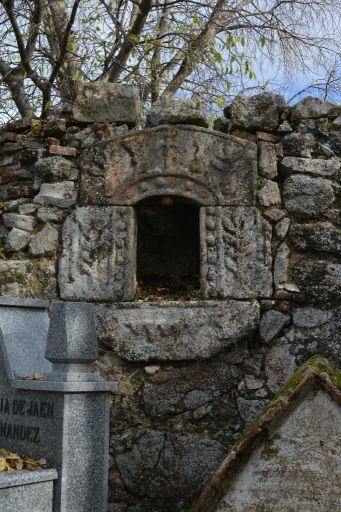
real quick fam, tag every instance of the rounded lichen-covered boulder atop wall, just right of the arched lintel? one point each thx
(261, 112)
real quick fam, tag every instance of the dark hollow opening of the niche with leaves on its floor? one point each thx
(168, 248)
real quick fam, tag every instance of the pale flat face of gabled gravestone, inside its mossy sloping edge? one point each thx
(297, 468)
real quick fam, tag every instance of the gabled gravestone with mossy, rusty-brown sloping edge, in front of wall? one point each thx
(289, 459)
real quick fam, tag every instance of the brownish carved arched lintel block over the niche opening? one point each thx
(203, 165)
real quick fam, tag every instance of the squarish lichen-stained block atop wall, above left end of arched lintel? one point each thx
(103, 101)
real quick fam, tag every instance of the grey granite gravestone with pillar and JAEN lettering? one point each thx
(53, 406)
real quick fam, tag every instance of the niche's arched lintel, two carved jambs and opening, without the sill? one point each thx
(130, 186)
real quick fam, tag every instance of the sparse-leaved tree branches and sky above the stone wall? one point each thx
(165, 47)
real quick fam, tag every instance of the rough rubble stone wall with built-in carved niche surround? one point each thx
(192, 374)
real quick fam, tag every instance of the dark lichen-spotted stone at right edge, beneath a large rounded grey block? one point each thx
(319, 236)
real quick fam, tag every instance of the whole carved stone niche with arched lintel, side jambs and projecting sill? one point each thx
(173, 206)
